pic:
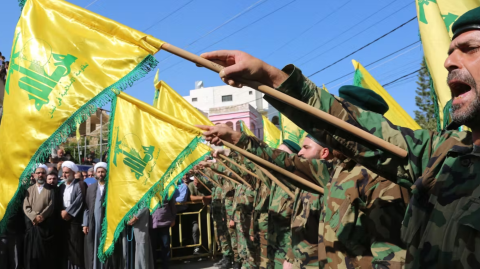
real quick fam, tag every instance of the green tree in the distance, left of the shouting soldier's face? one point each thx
(425, 116)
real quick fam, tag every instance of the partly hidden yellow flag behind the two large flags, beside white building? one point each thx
(173, 104)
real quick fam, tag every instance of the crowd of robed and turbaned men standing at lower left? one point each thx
(59, 225)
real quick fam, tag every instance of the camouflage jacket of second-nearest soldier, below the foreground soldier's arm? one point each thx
(356, 205)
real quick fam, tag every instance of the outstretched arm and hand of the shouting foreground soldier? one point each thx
(290, 80)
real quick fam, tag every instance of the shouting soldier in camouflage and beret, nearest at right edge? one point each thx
(441, 226)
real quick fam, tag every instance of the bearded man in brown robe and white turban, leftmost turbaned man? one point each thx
(38, 207)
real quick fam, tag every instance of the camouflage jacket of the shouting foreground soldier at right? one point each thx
(439, 227)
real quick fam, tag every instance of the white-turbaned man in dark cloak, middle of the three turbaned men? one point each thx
(72, 192)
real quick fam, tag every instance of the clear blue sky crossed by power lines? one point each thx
(311, 34)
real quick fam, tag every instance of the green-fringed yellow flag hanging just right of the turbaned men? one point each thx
(149, 152)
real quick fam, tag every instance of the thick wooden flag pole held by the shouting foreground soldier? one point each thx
(380, 143)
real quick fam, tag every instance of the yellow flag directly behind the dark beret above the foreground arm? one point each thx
(396, 114)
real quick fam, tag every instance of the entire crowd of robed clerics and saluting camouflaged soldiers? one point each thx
(368, 208)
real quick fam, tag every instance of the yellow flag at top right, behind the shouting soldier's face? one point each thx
(435, 19)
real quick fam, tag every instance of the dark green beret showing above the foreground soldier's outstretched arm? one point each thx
(363, 98)
